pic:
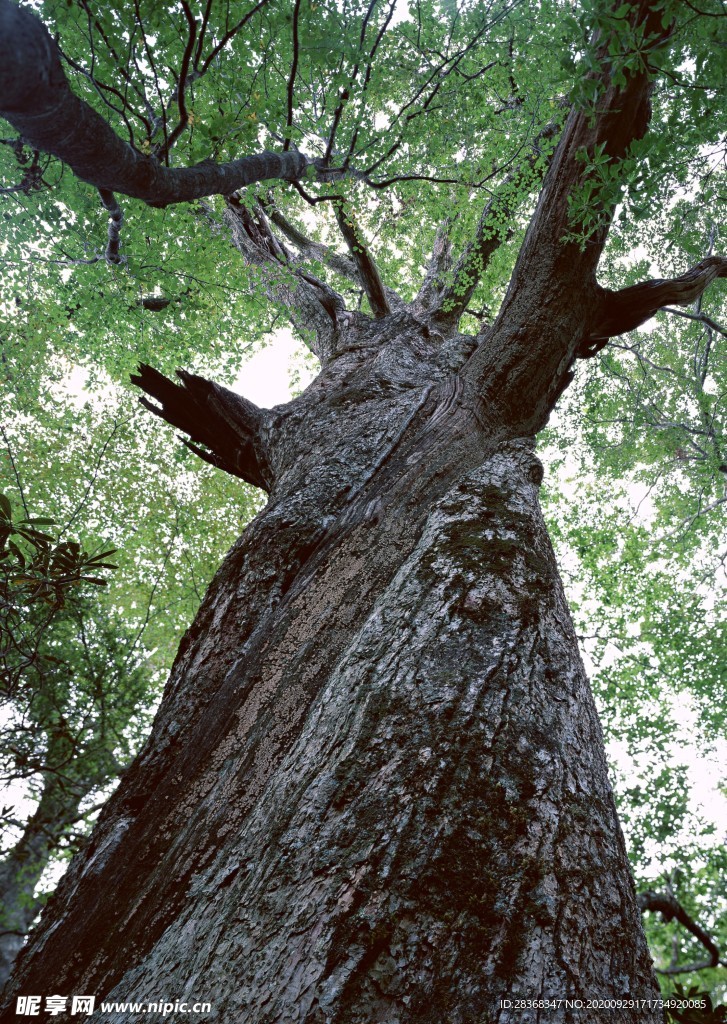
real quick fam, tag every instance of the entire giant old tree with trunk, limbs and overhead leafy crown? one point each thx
(376, 786)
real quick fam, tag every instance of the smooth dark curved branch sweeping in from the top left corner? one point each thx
(37, 101)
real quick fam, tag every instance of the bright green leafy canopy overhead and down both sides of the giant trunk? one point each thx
(221, 169)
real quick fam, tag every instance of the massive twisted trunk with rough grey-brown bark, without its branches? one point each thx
(376, 788)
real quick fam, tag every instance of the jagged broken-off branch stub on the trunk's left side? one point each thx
(226, 423)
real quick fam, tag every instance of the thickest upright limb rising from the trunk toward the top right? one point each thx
(525, 362)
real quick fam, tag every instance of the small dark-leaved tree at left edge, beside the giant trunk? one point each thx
(74, 697)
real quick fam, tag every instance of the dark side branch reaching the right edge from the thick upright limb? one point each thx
(626, 310)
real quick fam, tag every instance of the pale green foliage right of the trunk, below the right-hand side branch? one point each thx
(643, 551)
